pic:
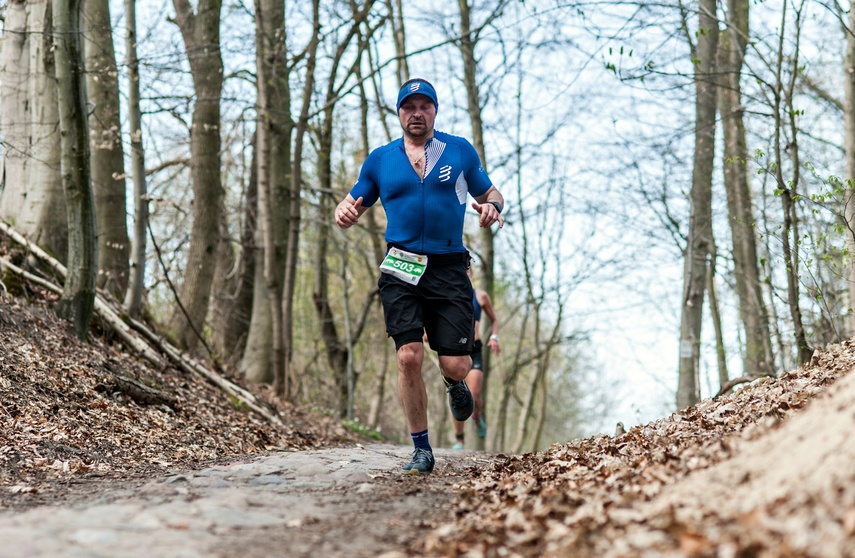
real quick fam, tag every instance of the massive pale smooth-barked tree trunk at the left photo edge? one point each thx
(33, 197)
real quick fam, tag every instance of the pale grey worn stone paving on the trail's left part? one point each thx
(187, 515)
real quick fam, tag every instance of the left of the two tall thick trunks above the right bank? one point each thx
(699, 242)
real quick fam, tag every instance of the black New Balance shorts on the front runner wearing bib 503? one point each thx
(440, 305)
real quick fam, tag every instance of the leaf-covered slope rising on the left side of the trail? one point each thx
(74, 412)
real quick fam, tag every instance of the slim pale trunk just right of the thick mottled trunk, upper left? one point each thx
(136, 285)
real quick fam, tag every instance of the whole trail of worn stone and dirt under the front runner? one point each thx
(349, 501)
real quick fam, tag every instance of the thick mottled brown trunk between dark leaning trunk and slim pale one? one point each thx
(108, 161)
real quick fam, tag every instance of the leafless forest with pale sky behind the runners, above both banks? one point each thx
(677, 179)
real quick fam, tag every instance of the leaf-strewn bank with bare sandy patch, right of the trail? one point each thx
(765, 471)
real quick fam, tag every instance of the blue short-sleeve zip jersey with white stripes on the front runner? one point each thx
(423, 216)
